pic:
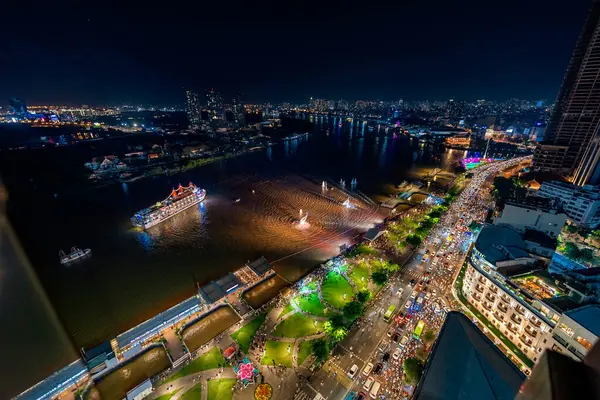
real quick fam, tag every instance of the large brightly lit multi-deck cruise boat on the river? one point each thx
(179, 200)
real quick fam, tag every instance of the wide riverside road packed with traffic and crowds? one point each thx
(366, 339)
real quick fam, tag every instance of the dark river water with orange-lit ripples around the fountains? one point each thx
(132, 275)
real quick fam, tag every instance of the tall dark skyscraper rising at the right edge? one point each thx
(576, 117)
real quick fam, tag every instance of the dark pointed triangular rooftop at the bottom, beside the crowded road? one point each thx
(465, 364)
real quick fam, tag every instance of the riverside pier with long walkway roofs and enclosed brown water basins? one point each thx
(115, 369)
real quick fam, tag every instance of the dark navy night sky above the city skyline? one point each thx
(287, 51)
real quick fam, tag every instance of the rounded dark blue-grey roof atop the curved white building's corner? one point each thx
(500, 243)
